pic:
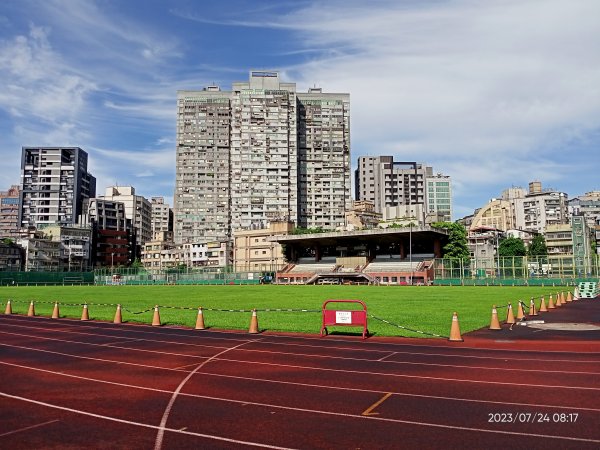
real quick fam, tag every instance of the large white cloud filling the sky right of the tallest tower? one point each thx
(494, 87)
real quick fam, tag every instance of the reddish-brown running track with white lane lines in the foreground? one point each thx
(73, 384)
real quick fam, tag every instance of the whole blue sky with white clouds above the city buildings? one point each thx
(495, 93)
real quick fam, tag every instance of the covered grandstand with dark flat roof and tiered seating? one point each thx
(383, 256)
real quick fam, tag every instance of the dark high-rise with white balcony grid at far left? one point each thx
(54, 183)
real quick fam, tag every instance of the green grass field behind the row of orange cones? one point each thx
(427, 309)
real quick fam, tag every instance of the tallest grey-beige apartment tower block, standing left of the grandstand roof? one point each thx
(258, 153)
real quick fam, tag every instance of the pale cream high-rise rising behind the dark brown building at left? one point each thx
(137, 209)
